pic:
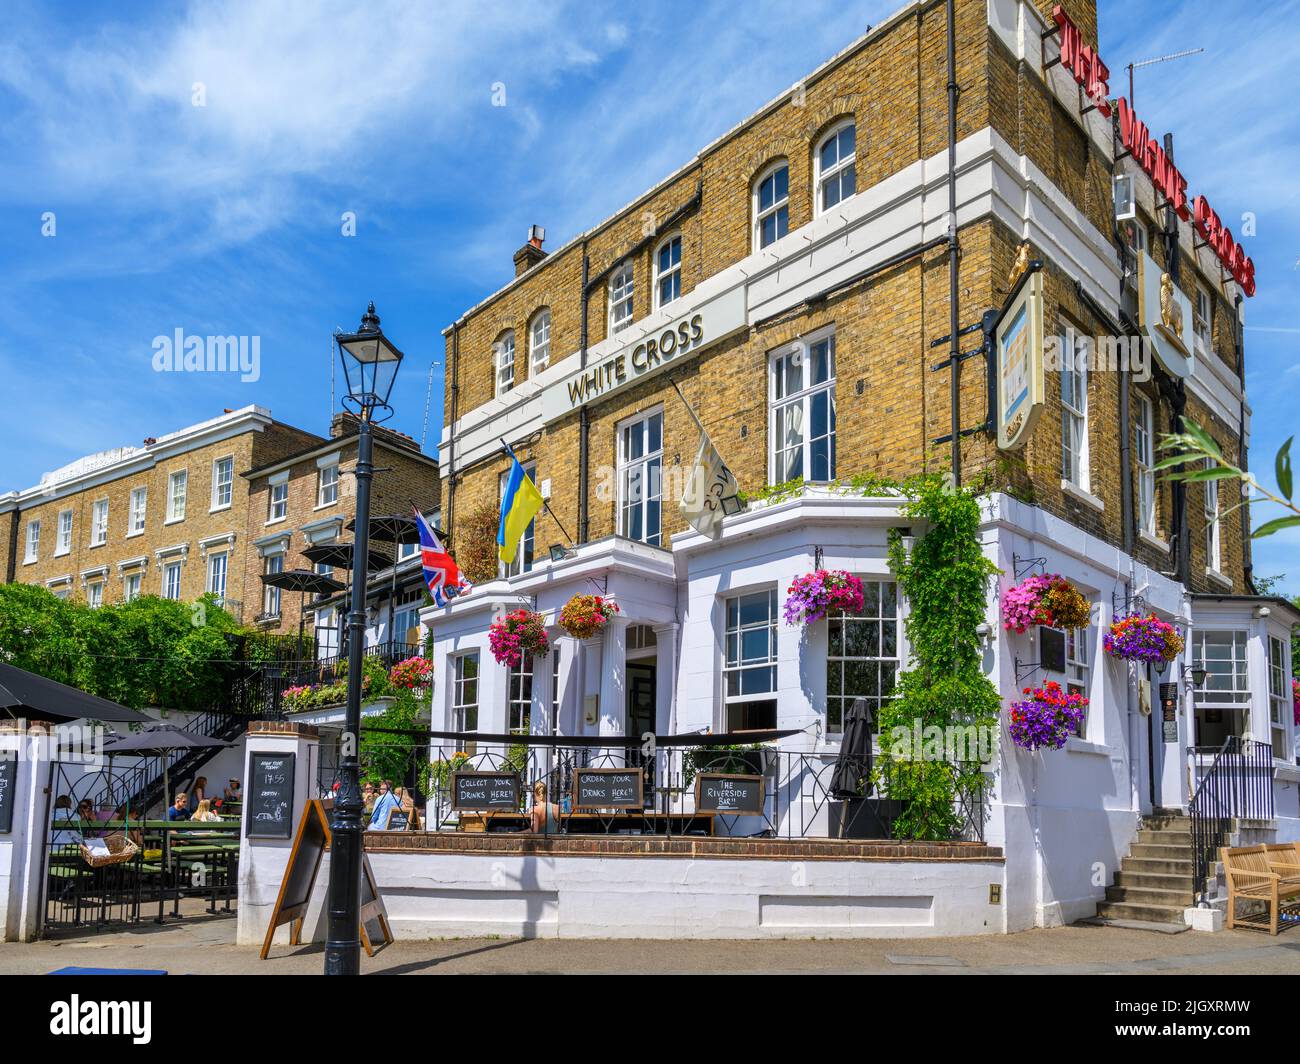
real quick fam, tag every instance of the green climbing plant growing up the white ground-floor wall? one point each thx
(946, 581)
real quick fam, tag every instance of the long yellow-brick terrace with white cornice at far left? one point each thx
(167, 518)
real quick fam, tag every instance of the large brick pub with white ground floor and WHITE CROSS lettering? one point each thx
(792, 282)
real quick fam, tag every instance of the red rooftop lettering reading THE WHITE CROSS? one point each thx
(1087, 68)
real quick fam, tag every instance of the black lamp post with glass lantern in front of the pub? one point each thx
(370, 364)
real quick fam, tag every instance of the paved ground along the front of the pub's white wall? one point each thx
(205, 945)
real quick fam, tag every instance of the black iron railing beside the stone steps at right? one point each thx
(1236, 784)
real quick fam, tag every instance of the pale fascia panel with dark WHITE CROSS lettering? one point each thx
(649, 352)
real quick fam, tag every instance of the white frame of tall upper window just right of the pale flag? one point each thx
(803, 399)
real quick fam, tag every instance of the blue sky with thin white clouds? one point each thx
(227, 219)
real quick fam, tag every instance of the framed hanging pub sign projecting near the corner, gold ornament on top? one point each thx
(1019, 344)
